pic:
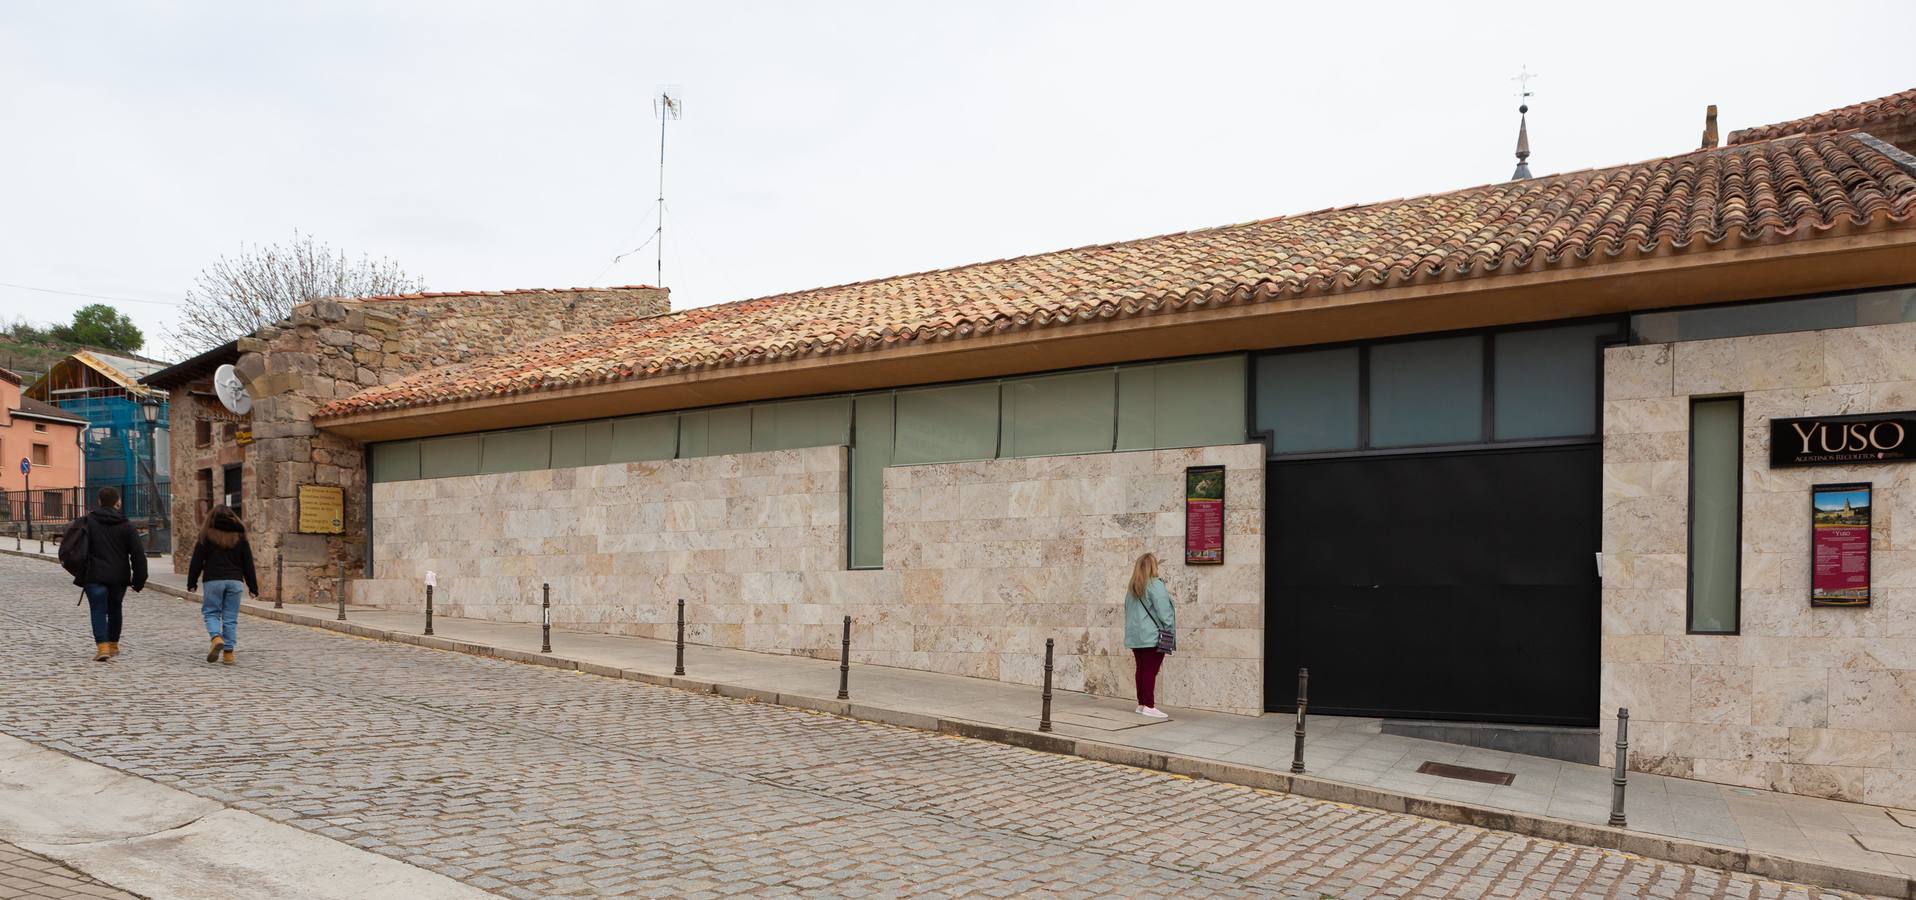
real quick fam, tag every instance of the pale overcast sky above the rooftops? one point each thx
(514, 145)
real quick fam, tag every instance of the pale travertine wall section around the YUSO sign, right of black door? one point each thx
(1817, 702)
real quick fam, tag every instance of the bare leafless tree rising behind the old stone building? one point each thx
(262, 286)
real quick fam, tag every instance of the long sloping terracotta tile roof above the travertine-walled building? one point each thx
(1718, 198)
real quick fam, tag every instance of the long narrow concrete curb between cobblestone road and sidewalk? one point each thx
(1639, 844)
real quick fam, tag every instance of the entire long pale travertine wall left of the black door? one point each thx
(982, 560)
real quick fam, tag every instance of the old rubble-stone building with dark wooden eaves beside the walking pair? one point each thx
(325, 351)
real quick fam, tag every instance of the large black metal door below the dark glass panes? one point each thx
(1453, 587)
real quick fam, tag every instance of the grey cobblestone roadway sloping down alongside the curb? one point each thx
(532, 782)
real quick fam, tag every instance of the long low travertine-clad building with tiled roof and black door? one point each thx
(1492, 457)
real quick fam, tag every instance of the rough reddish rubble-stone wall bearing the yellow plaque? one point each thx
(332, 349)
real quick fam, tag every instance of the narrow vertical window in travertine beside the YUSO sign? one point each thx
(1716, 512)
